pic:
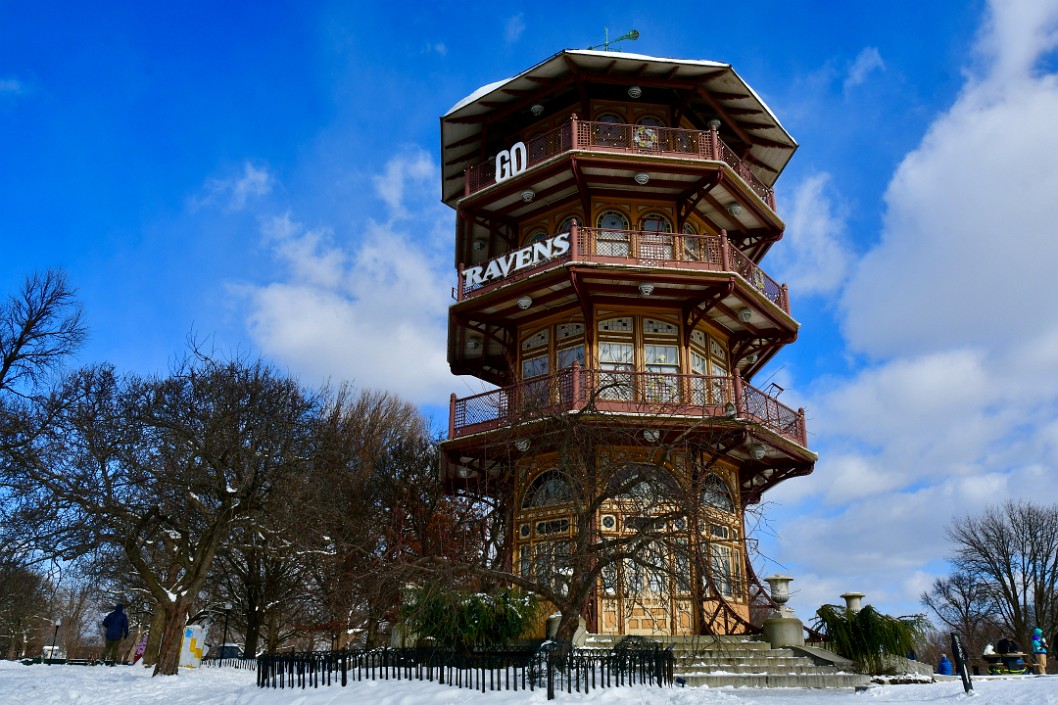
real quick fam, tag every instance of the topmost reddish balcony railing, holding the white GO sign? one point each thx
(589, 136)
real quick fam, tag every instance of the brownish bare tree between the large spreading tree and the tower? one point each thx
(379, 511)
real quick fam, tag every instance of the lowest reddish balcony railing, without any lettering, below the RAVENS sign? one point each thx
(625, 392)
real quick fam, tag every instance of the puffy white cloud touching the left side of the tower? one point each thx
(373, 313)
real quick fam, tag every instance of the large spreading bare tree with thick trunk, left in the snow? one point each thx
(162, 468)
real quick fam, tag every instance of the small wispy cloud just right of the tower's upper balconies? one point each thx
(814, 257)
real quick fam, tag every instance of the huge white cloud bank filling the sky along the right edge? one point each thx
(952, 310)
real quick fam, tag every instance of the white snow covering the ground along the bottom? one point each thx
(84, 685)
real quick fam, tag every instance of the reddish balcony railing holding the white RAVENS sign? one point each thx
(646, 249)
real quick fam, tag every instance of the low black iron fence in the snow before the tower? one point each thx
(556, 670)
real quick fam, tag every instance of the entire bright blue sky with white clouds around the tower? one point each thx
(265, 176)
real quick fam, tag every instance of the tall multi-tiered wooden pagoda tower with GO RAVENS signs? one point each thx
(613, 214)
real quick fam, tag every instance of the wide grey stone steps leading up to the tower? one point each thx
(751, 662)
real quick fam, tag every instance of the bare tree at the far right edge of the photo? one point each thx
(1014, 551)
